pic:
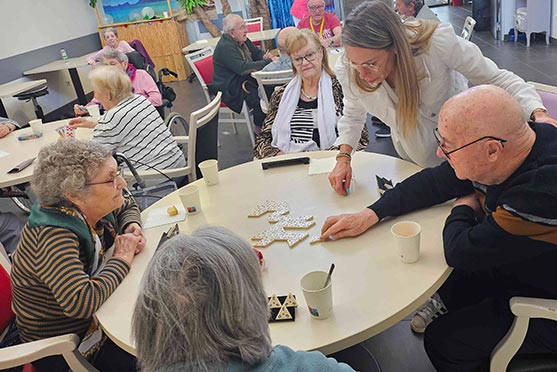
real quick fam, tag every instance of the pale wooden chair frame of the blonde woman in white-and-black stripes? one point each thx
(197, 120)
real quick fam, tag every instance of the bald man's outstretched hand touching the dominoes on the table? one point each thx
(345, 225)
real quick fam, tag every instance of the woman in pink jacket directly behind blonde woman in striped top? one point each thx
(142, 82)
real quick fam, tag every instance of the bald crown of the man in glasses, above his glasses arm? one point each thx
(484, 110)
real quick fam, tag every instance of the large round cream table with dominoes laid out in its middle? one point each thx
(372, 288)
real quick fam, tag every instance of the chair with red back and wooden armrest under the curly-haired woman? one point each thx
(24, 354)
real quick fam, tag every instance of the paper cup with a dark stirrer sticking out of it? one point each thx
(318, 298)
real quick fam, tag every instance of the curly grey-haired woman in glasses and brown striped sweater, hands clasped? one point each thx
(61, 273)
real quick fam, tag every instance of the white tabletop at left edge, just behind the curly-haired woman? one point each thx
(19, 151)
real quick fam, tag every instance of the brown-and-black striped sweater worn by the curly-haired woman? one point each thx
(52, 293)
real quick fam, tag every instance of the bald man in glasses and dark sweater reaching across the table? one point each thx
(500, 236)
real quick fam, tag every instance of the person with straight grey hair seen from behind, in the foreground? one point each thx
(202, 307)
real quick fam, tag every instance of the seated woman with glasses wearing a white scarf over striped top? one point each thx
(303, 115)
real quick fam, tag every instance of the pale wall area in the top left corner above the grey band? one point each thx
(30, 24)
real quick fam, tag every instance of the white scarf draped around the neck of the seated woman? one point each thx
(326, 116)
